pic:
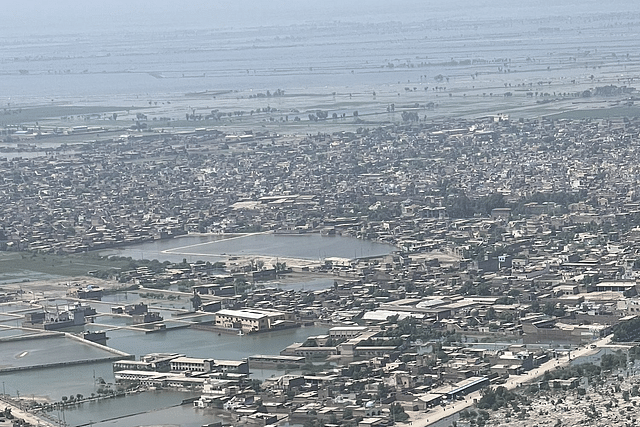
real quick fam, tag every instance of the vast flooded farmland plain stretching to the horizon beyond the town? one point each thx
(281, 78)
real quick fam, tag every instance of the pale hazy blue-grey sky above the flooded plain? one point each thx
(27, 17)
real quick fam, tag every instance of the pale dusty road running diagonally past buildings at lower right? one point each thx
(423, 419)
